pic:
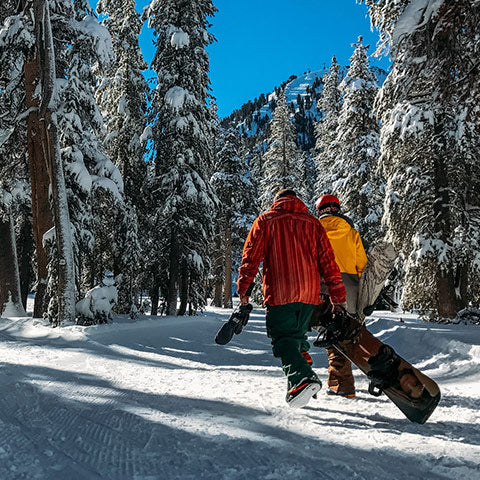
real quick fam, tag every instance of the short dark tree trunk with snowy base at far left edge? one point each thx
(9, 276)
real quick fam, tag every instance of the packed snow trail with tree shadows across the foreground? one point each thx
(157, 399)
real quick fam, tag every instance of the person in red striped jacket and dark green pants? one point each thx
(296, 254)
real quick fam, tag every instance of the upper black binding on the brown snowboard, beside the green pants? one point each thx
(335, 327)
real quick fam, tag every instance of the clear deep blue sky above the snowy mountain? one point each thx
(260, 43)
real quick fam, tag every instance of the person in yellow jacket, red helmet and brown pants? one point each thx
(351, 260)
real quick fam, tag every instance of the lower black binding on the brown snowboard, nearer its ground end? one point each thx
(384, 370)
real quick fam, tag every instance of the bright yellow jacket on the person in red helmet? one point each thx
(346, 243)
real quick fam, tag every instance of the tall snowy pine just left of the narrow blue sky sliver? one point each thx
(122, 95)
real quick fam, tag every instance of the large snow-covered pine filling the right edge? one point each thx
(429, 152)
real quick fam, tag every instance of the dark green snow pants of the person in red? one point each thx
(287, 326)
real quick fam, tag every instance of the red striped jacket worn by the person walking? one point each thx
(296, 253)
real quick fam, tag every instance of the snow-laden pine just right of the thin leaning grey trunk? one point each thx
(83, 45)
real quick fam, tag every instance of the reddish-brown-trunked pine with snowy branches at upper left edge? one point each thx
(19, 76)
